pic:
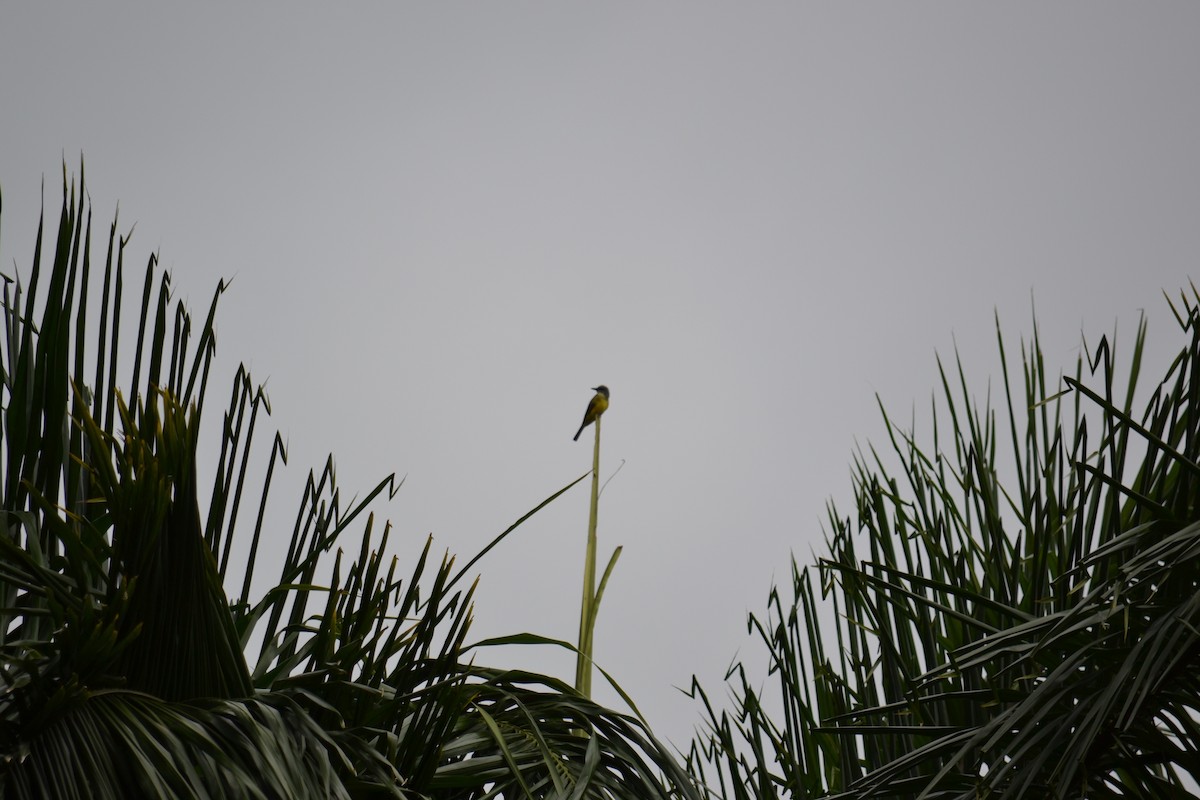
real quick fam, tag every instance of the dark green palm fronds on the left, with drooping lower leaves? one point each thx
(122, 660)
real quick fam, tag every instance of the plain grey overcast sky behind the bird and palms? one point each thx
(446, 222)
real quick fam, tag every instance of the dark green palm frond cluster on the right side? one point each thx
(1015, 615)
